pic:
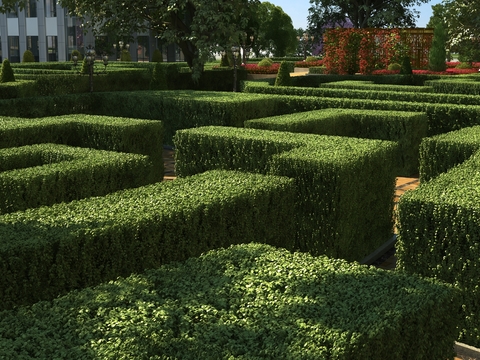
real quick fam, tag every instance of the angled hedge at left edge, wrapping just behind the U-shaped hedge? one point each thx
(97, 132)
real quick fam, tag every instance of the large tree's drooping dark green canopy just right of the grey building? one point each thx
(199, 27)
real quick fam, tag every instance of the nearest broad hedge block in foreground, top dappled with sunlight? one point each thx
(246, 302)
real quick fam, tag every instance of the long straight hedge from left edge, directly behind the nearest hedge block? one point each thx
(49, 251)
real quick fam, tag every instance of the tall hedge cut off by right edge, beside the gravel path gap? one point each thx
(439, 237)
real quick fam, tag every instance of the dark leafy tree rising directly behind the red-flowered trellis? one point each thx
(361, 14)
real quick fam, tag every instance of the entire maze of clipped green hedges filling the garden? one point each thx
(92, 242)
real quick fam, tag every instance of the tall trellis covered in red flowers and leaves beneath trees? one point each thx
(363, 50)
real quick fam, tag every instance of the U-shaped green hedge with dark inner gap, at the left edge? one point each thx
(45, 174)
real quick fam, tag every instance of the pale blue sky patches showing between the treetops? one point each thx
(298, 11)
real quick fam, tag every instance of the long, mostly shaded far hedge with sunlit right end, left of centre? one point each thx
(176, 109)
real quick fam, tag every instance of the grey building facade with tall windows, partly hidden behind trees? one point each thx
(47, 30)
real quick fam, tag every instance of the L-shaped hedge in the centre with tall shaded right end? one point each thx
(335, 211)
